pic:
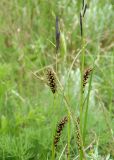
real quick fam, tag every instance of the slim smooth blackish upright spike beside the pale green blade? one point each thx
(57, 34)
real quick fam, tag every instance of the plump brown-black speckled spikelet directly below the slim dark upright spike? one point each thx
(51, 80)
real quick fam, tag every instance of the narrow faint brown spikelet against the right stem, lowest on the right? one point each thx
(78, 136)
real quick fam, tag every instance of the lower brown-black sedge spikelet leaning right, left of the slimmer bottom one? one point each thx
(59, 129)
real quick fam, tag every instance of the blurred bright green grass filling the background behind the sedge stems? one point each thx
(28, 113)
